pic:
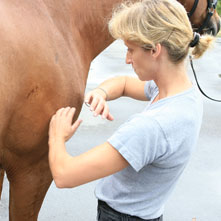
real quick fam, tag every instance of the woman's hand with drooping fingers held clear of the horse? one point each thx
(96, 99)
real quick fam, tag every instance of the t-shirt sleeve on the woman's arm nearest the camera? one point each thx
(140, 141)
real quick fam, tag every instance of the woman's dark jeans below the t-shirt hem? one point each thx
(106, 213)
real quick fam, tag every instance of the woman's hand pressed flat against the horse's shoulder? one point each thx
(61, 127)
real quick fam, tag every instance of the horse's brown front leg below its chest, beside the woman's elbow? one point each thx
(29, 180)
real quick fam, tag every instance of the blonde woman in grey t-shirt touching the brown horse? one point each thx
(144, 158)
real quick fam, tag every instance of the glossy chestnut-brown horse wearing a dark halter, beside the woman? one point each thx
(46, 50)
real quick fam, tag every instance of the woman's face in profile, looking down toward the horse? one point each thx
(141, 61)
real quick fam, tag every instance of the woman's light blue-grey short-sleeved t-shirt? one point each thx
(157, 143)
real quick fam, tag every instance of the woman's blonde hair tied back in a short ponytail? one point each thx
(149, 22)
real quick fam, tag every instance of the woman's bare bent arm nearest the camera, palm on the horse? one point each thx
(69, 171)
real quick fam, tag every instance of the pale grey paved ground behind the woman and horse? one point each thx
(198, 193)
